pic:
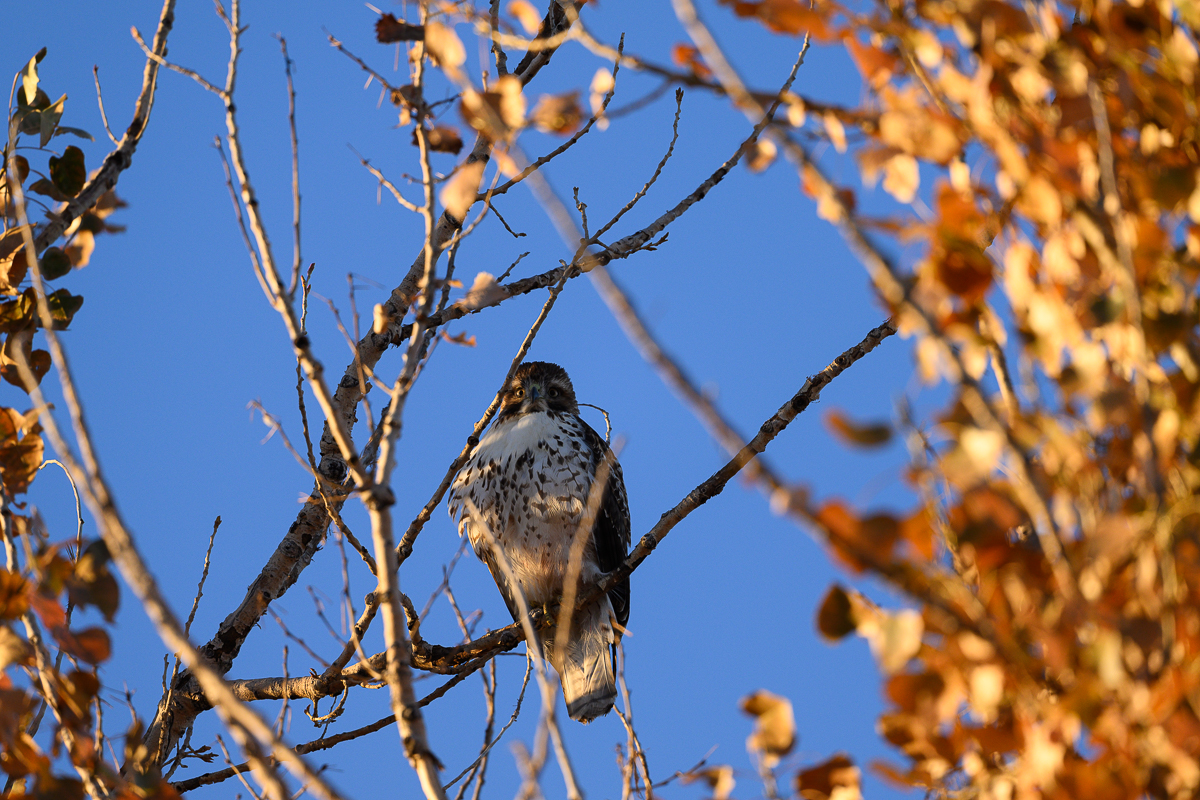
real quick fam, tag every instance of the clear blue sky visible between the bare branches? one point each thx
(753, 293)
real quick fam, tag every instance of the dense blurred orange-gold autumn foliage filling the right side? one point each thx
(1048, 165)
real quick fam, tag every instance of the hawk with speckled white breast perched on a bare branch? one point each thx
(530, 482)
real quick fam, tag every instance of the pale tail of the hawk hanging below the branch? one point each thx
(585, 667)
